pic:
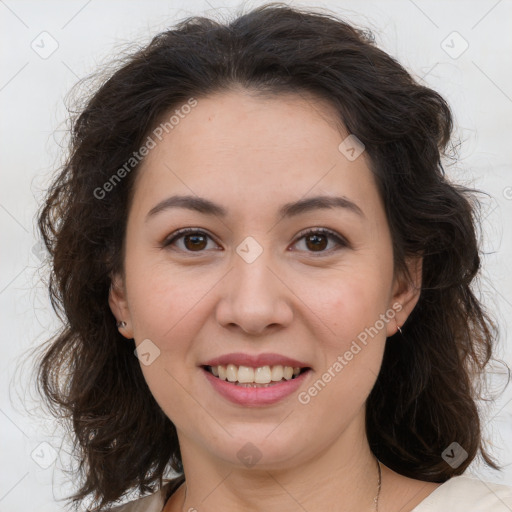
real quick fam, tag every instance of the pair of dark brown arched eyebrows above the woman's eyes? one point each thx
(207, 207)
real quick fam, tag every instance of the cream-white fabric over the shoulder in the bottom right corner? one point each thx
(467, 494)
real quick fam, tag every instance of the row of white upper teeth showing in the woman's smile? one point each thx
(248, 375)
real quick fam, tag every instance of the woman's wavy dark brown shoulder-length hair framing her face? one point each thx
(425, 397)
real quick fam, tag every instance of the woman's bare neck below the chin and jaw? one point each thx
(345, 474)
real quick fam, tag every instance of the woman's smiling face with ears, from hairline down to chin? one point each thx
(257, 280)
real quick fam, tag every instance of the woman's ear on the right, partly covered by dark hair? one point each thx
(406, 293)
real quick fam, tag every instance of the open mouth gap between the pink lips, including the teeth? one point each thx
(255, 377)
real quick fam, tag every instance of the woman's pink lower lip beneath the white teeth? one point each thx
(253, 397)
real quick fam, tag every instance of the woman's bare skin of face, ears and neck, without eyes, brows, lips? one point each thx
(251, 155)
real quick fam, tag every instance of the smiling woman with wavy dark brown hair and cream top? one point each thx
(266, 279)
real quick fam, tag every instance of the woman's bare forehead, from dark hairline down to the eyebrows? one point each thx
(235, 146)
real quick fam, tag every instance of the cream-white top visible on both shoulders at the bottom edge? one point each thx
(458, 494)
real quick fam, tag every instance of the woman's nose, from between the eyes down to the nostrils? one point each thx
(254, 298)
